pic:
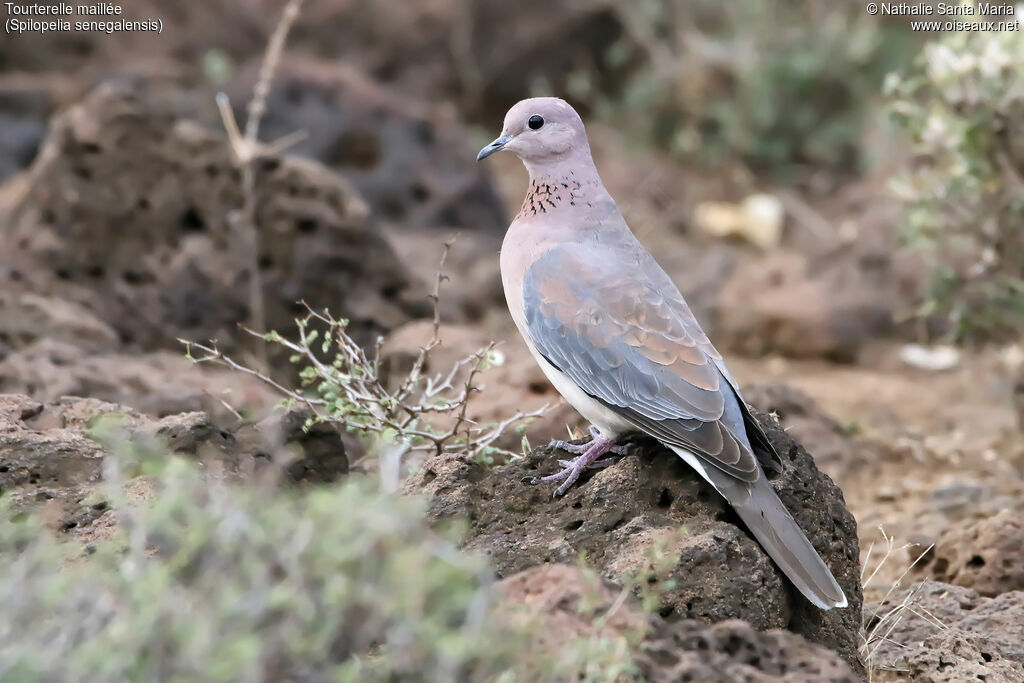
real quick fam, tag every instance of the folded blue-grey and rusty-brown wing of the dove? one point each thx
(621, 330)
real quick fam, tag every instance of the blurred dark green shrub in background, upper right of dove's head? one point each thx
(783, 86)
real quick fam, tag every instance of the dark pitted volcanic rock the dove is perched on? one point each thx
(650, 519)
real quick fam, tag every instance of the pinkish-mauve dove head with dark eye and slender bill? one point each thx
(541, 132)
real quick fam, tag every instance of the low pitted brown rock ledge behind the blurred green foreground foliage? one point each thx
(49, 455)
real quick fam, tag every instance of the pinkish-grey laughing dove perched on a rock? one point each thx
(615, 336)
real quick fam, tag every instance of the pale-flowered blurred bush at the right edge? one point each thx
(964, 107)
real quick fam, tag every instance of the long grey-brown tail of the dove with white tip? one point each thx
(778, 532)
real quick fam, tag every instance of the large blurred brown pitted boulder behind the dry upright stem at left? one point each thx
(131, 214)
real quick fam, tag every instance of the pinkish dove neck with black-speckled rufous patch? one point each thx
(564, 187)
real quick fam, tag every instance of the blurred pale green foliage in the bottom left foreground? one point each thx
(212, 582)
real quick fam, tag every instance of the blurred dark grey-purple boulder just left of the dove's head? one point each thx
(412, 162)
